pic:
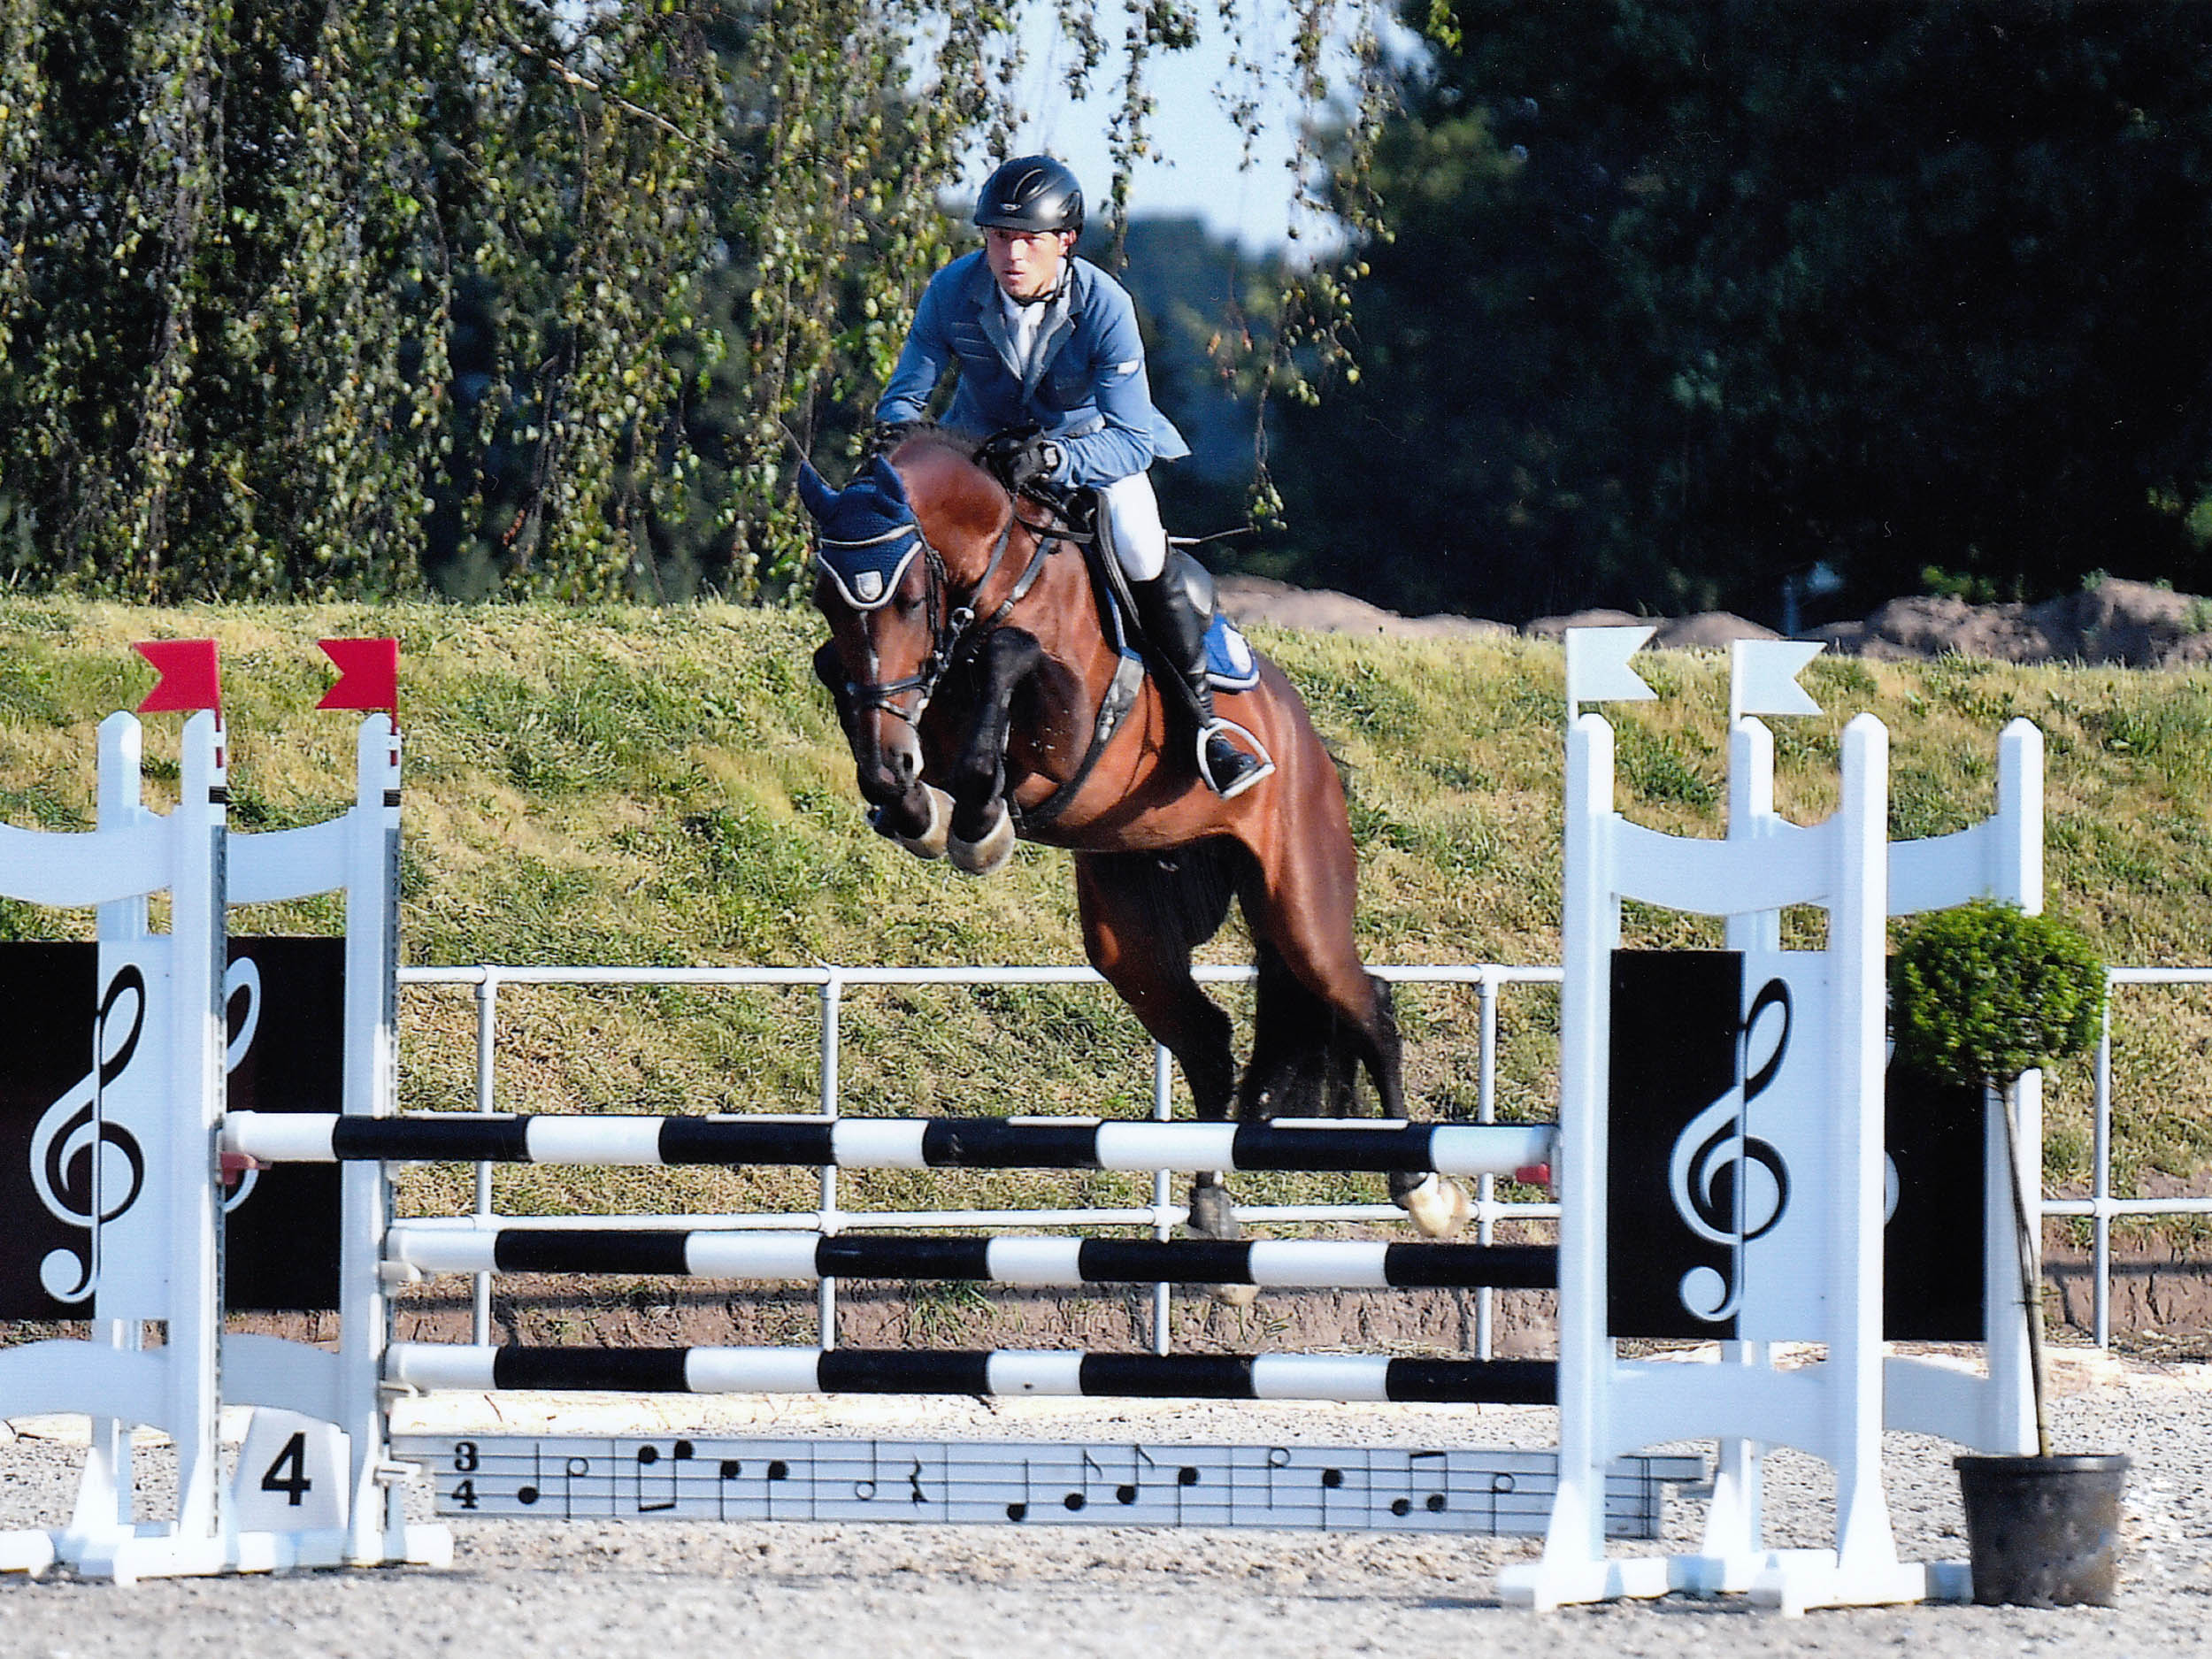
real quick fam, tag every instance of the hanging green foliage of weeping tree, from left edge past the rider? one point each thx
(505, 298)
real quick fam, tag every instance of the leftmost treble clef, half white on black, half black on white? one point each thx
(74, 1147)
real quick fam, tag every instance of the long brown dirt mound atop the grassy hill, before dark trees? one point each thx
(2133, 625)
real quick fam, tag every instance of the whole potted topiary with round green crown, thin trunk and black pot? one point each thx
(1979, 997)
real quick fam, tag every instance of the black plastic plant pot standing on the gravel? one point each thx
(2043, 1532)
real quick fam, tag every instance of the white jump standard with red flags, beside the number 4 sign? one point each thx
(154, 1238)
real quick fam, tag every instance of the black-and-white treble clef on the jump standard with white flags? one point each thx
(1729, 1185)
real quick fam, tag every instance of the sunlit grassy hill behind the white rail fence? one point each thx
(669, 789)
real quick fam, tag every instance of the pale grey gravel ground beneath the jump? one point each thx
(636, 1589)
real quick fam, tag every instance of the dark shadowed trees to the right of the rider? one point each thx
(1684, 298)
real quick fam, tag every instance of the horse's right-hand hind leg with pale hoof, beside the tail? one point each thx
(1300, 908)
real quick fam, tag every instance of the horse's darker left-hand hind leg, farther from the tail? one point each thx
(1142, 915)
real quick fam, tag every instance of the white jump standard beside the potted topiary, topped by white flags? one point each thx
(1797, 1120)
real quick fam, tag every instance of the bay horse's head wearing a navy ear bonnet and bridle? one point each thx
(890, 592)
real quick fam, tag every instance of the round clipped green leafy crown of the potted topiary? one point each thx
(1987, 992)
